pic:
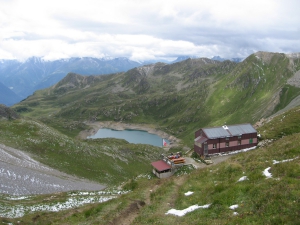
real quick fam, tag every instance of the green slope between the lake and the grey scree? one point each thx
(108, 161)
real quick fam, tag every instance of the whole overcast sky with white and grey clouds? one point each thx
(147, 29)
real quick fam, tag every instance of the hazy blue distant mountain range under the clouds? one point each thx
(24, 78)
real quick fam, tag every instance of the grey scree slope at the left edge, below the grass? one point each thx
(22, 175)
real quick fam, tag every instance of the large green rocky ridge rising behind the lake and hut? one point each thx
(179, 98)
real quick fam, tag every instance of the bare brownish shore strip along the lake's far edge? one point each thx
(95, 126)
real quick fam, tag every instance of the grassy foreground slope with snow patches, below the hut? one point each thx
(261, 201)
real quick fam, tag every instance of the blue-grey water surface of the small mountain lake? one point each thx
(132, 136)
